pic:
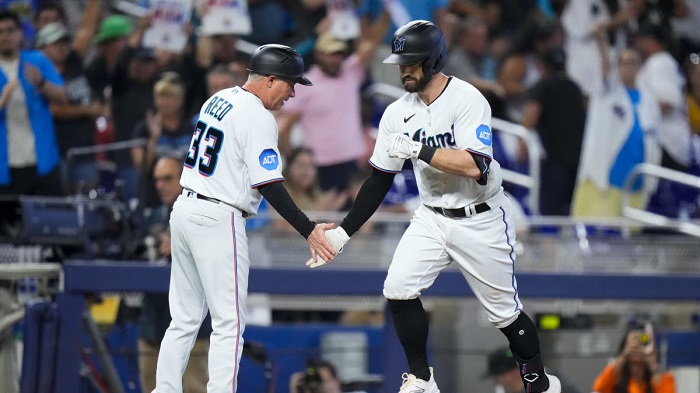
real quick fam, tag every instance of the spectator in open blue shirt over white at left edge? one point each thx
(29, 156)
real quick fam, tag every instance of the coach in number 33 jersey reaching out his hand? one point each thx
(233, 161)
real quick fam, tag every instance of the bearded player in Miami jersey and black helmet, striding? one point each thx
(443, 125)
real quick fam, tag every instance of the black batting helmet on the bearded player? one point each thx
(419, 41)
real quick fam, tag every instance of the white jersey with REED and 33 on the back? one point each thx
(233, 150)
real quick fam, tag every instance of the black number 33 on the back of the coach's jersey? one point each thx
(213, 141)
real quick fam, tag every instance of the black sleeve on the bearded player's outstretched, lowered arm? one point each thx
(369, 198)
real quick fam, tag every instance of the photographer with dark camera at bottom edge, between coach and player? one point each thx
(318, 377)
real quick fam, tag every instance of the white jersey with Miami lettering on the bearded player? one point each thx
(460, 118)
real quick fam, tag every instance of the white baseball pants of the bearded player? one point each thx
(483, 246)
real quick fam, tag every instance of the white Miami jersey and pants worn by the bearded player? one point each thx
(483, 245)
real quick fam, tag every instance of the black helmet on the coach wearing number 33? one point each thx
(278, 60)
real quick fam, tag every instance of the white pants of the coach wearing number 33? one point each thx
(209, 268)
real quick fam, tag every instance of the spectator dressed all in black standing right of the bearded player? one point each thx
(555, 108)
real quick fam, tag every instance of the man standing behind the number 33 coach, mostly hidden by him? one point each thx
(155, 316)
